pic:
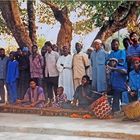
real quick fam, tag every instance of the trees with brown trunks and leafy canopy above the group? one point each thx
(110, 16)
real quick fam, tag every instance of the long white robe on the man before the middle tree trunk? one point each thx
(65, 75)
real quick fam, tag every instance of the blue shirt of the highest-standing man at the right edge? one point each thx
(134, 50)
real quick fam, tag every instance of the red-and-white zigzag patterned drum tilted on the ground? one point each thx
(101, 107)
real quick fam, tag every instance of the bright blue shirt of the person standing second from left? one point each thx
(12, 71)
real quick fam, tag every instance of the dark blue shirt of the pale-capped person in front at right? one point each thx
(118, 80)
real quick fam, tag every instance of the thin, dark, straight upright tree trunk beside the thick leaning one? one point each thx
(31, 21)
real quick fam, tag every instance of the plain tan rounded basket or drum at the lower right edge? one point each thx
(132, 110)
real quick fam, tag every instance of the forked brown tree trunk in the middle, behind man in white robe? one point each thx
(65, 33)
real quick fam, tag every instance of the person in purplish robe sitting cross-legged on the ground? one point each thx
(34, 96)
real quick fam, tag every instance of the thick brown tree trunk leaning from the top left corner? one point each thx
(11, 15)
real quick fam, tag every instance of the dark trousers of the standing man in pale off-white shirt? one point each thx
(52, 84)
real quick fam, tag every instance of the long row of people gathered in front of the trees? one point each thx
(112, 72)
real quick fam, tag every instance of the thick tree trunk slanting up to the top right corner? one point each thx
(125, 13)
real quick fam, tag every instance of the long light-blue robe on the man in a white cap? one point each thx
(98, 60)
